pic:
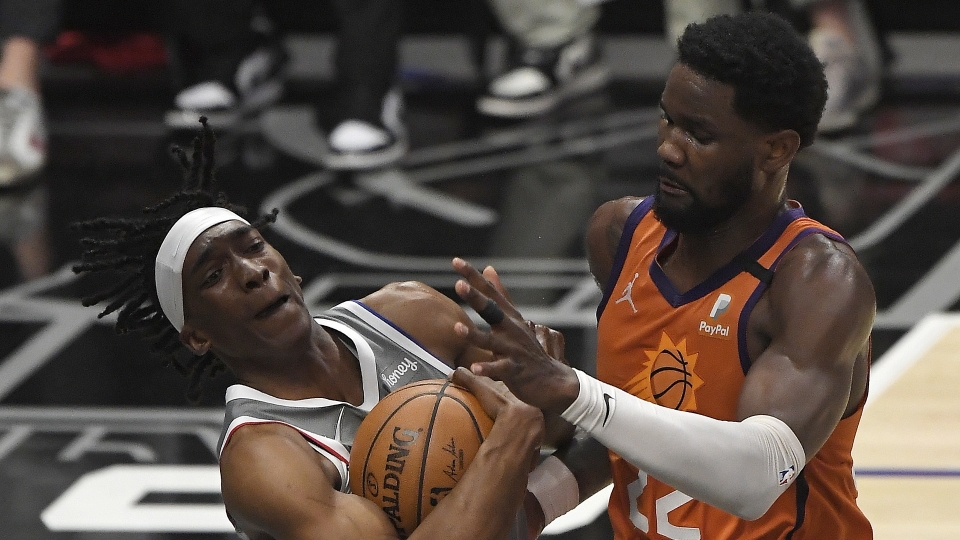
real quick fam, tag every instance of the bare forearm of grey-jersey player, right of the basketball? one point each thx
(486, 500)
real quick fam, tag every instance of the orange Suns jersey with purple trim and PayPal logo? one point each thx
(688, 351)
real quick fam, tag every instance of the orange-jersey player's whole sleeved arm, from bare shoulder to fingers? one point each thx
(738, 466)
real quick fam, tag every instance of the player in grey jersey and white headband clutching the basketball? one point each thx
(203, 282)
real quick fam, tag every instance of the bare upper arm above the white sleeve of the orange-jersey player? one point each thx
(820, 310)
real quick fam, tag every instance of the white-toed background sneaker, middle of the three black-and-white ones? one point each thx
(355, 144)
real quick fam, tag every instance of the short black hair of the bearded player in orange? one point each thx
(778, 81)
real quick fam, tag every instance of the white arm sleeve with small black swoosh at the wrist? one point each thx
(738, 467)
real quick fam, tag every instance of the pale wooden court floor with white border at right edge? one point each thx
(907, 453)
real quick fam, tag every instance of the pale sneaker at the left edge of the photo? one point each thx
(23, 136)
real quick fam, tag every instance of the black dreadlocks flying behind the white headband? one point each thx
(129, 247)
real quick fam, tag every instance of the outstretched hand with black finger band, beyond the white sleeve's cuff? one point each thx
(520, 359)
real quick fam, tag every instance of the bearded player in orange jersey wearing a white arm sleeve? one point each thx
(734, 332)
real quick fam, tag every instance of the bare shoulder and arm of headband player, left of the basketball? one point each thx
(274, 483)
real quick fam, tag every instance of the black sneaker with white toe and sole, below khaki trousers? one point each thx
(540, 79)
